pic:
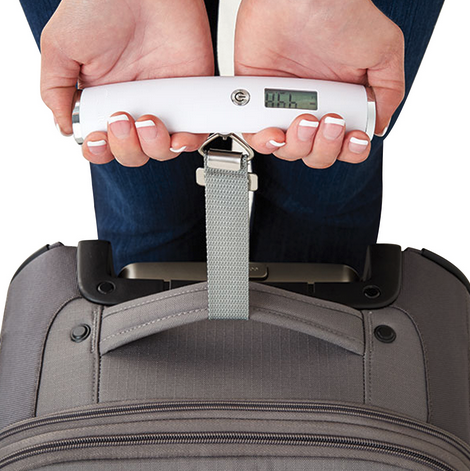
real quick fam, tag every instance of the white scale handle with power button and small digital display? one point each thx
(224, 104)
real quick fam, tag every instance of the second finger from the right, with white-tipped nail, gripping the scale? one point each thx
(328, 142)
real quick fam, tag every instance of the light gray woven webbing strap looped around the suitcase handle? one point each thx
(227, 239)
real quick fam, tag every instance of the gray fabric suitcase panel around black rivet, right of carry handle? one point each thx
(395, 373)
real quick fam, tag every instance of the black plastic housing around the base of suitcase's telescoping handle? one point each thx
(378, 287)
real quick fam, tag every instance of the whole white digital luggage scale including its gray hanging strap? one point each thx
(223, 106)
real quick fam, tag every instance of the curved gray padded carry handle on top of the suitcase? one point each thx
(327, 321)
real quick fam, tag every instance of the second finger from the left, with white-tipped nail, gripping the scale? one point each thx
(124, 142)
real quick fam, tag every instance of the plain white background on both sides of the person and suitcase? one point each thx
(45, 189)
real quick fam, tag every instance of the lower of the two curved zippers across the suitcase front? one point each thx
(226, 438)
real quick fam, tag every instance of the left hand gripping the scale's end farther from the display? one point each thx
(96, 42)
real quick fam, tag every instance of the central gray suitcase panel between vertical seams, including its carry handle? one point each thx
(293, 347)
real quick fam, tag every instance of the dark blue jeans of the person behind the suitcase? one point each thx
(156, 212)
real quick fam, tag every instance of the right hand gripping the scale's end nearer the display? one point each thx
(335, 40)
